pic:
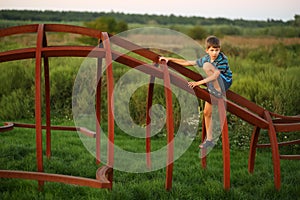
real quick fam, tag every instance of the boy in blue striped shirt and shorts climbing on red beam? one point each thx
(218, 80)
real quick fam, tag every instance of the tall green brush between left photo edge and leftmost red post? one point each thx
(17, 91)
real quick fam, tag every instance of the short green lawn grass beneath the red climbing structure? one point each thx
(190, 180)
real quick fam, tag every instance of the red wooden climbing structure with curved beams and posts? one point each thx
(237, 105)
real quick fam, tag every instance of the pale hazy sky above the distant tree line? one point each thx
(232, 9)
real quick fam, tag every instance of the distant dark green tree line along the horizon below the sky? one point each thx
(47, 15)
